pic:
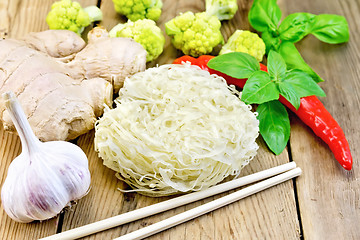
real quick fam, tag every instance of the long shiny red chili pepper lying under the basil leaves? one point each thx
(311, 111)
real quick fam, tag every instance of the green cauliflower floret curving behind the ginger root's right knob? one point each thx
(145, 32)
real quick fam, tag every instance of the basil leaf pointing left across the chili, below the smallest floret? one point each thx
(235, 64)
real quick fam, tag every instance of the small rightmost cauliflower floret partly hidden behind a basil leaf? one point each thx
(246, 42)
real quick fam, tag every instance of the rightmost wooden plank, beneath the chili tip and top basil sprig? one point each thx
(329, 196)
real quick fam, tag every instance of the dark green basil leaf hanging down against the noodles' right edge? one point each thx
(274, 125)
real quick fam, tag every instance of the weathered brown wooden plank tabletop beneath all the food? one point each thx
(324, 203)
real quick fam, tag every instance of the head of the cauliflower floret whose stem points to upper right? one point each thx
(194, 34)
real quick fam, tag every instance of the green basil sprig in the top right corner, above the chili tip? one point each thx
(265, 15)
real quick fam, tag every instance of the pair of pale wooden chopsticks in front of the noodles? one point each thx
(273, 177)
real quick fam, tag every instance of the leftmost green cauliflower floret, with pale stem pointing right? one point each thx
(69, 15)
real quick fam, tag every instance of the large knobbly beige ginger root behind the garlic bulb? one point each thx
(63, 84)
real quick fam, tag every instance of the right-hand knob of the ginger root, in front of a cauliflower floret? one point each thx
(119, 59)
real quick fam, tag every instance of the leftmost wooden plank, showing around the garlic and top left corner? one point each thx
(17, 18)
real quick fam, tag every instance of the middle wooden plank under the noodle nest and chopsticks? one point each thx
(244, 219)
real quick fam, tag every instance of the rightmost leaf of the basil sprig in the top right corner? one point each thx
(330, 28)
